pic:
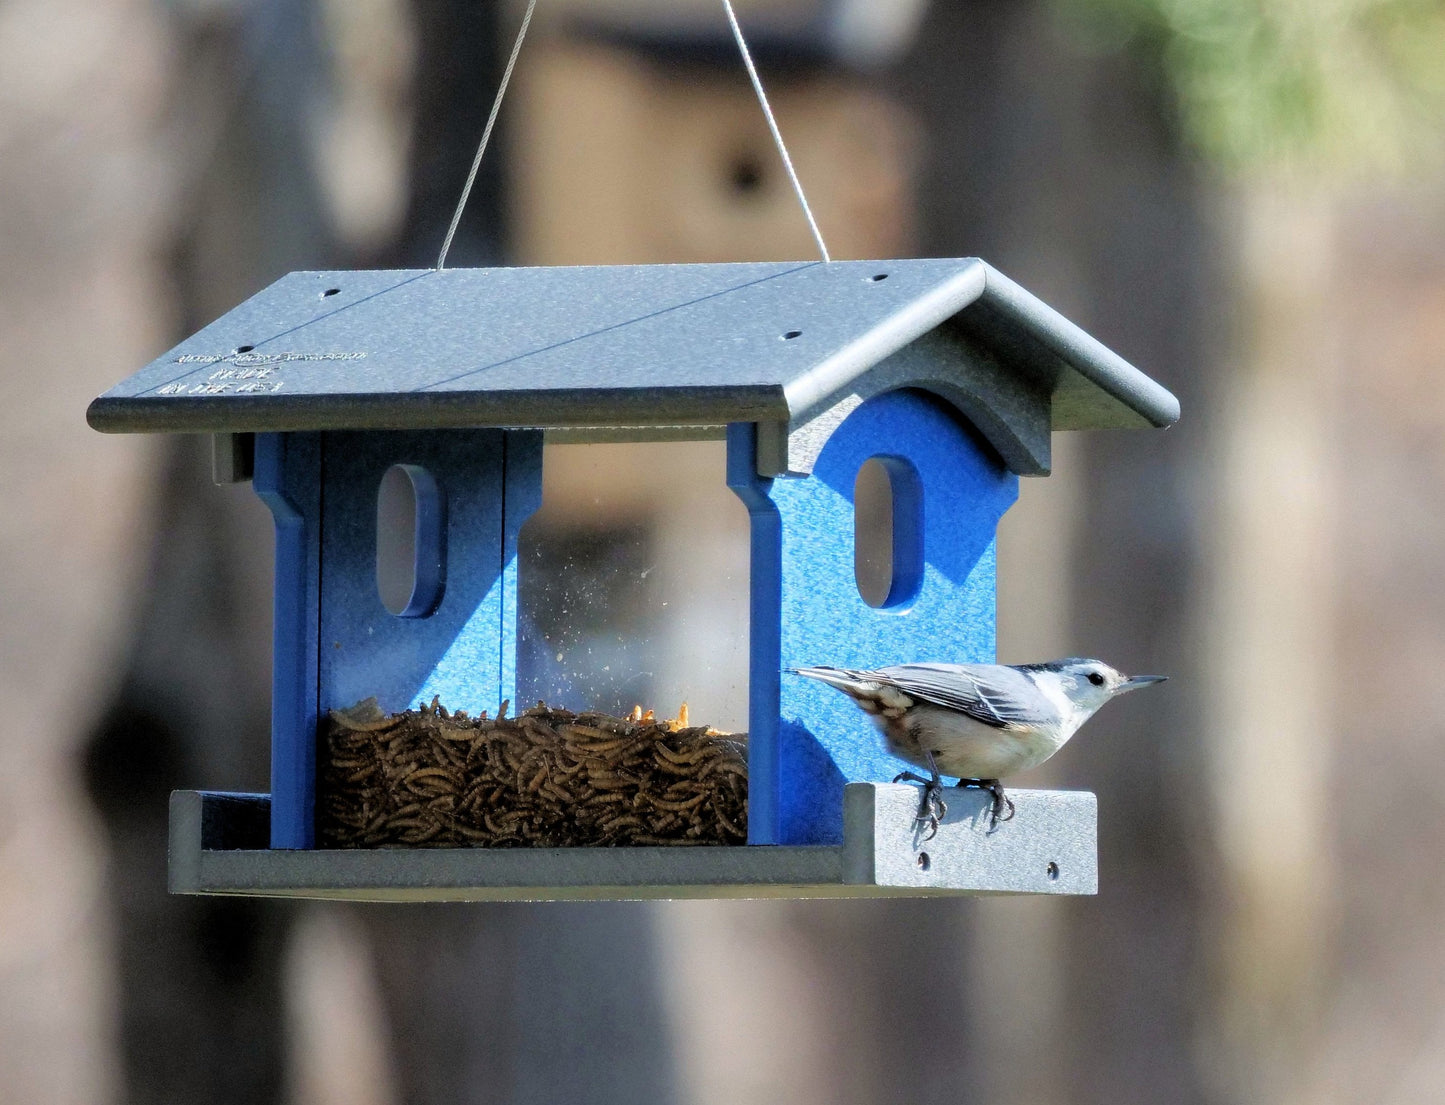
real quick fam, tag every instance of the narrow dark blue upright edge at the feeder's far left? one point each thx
(288, 479)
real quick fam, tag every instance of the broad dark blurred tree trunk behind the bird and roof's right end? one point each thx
(1067, 173)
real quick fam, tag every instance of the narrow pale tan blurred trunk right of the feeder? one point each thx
(1268, 610)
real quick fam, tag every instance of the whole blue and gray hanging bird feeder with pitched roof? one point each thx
(946, 372)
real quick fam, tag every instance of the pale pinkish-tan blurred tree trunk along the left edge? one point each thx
(82, 301)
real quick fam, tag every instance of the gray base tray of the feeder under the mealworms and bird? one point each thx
(219, 847)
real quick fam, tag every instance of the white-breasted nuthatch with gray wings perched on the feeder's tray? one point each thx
(978, 723)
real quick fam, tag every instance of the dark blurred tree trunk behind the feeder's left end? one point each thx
(200, 980)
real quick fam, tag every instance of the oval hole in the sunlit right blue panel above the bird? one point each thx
(888, 532)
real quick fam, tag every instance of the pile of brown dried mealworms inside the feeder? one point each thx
(545, 779)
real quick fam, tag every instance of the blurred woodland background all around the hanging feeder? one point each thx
(1245, 199)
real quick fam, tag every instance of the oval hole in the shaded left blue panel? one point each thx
(411, 555)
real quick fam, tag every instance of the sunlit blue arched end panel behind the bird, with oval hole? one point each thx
(807, 740)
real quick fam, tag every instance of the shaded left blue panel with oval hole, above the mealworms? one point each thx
(456, 651)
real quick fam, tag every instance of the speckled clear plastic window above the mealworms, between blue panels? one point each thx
(634, 584)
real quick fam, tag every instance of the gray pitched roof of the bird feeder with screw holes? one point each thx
(626, 346)
